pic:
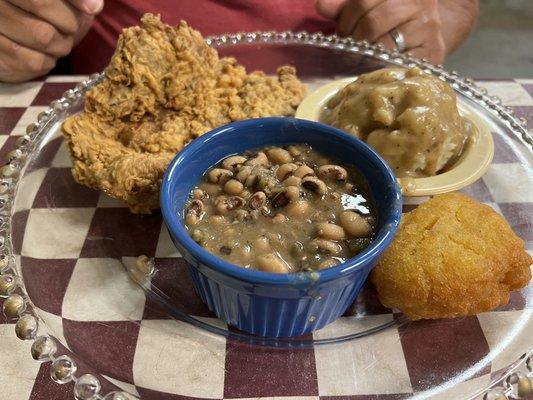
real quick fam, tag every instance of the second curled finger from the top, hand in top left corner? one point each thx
(32, 32)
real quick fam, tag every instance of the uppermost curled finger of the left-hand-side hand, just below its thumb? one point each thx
(59, 13)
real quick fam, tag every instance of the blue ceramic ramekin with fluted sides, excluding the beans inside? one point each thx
(269, 304)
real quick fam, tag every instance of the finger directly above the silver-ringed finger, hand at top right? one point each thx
(384, 17)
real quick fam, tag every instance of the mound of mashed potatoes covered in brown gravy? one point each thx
(409, 117)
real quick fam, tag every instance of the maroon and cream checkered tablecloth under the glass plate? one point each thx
(72, 247)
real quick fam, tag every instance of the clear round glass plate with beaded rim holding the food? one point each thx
(147, 332)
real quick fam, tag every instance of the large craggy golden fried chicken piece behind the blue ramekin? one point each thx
(164, 87)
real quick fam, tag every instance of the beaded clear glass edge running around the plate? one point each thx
(516, 382)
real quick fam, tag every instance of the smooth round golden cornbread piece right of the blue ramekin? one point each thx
(452, 257)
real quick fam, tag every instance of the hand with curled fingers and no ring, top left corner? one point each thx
(34, 34)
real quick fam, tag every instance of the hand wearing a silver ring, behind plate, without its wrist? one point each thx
(417, 20)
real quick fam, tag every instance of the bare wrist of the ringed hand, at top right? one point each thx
(458, 18)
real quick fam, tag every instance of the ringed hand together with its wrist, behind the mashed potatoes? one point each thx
(432, 28)
